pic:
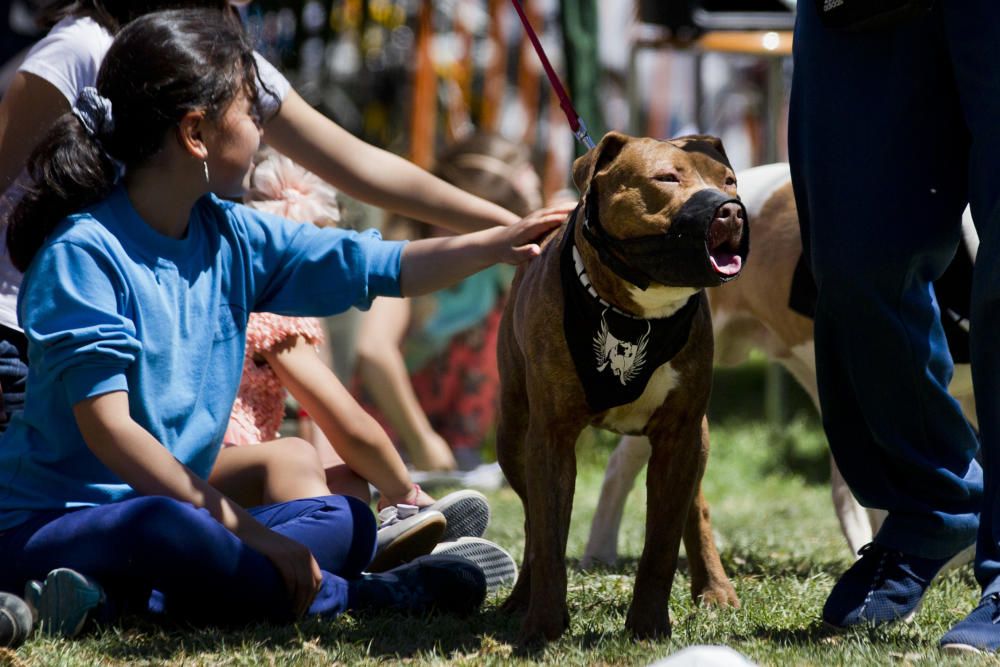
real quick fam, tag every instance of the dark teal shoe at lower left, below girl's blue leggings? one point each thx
(63, 602)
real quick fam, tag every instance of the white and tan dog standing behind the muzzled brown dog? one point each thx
(754, 312)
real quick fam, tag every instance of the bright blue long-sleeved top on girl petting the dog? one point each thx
(109, 304)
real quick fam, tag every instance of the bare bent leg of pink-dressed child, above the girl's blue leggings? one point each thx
(271, 472)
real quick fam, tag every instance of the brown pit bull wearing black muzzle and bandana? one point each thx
(610, 327)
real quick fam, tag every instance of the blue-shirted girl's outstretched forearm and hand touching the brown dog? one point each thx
(432, 264)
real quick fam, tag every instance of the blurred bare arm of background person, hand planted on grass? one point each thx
(383, 371)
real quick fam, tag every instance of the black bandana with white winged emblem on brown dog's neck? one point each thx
(614, 353)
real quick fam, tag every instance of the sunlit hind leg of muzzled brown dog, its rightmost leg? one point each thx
(709, 582)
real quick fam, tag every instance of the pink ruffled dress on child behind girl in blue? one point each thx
(260, 402)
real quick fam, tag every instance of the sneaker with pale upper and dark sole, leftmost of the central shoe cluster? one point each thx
(405, 533)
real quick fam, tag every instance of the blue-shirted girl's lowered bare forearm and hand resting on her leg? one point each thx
(143, 463)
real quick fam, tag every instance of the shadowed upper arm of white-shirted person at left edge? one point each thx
(27, 110)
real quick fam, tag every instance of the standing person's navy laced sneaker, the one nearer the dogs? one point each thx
(882, 586)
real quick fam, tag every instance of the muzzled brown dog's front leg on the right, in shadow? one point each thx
(675, 467)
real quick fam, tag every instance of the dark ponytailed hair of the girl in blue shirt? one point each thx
(160, 67)
